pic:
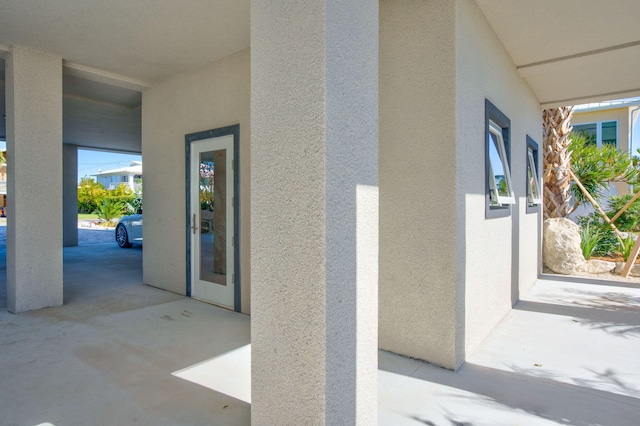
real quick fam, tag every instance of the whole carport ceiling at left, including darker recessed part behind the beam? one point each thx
(112, 50)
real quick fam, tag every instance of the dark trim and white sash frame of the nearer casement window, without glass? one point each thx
(498, 124)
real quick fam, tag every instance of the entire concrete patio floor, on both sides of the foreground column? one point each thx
(568, 353)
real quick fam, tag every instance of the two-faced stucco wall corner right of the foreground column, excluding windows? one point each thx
(448, 275)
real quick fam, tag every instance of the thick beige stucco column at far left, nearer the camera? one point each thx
(34, 174)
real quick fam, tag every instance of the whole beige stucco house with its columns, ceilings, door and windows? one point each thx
(371, 160)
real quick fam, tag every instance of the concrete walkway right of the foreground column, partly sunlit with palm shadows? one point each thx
(566, 354)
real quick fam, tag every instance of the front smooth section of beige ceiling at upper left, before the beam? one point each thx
(145, 40)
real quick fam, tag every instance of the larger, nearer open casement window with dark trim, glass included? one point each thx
(499, 190)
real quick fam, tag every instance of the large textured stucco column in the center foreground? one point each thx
(314, 204)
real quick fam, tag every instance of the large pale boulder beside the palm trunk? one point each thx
(561, 246)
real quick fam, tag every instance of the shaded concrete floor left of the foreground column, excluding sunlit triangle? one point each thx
(106, 356)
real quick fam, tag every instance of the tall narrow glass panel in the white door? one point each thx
(213, 220)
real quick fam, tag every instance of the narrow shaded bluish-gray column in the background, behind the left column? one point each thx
(70, 195)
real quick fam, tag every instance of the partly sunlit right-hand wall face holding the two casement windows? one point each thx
(497, 257)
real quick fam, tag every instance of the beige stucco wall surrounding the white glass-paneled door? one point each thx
(210, 97)
